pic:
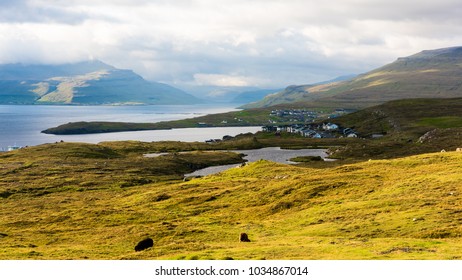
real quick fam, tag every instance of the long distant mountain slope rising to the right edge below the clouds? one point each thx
(428, 74)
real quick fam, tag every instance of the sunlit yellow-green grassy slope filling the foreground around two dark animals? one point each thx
(72, 205)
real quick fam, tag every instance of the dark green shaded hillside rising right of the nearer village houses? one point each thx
(411, 126)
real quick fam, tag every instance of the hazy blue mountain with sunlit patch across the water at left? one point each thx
(84, 83)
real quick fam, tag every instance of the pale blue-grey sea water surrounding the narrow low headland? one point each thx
(22, 125)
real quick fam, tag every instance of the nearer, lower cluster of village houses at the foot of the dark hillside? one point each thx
(324, 130)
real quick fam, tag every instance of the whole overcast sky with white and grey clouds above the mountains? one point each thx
(263, 43)
